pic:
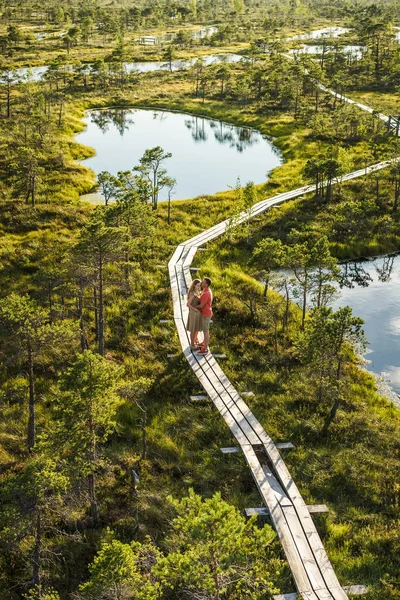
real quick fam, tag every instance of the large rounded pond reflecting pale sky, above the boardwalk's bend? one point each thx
(207, 155)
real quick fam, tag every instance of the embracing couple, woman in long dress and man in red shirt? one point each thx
(199, 302)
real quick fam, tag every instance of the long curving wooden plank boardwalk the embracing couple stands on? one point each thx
(312, 571)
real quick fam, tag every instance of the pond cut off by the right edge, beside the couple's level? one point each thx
(372, 290)
